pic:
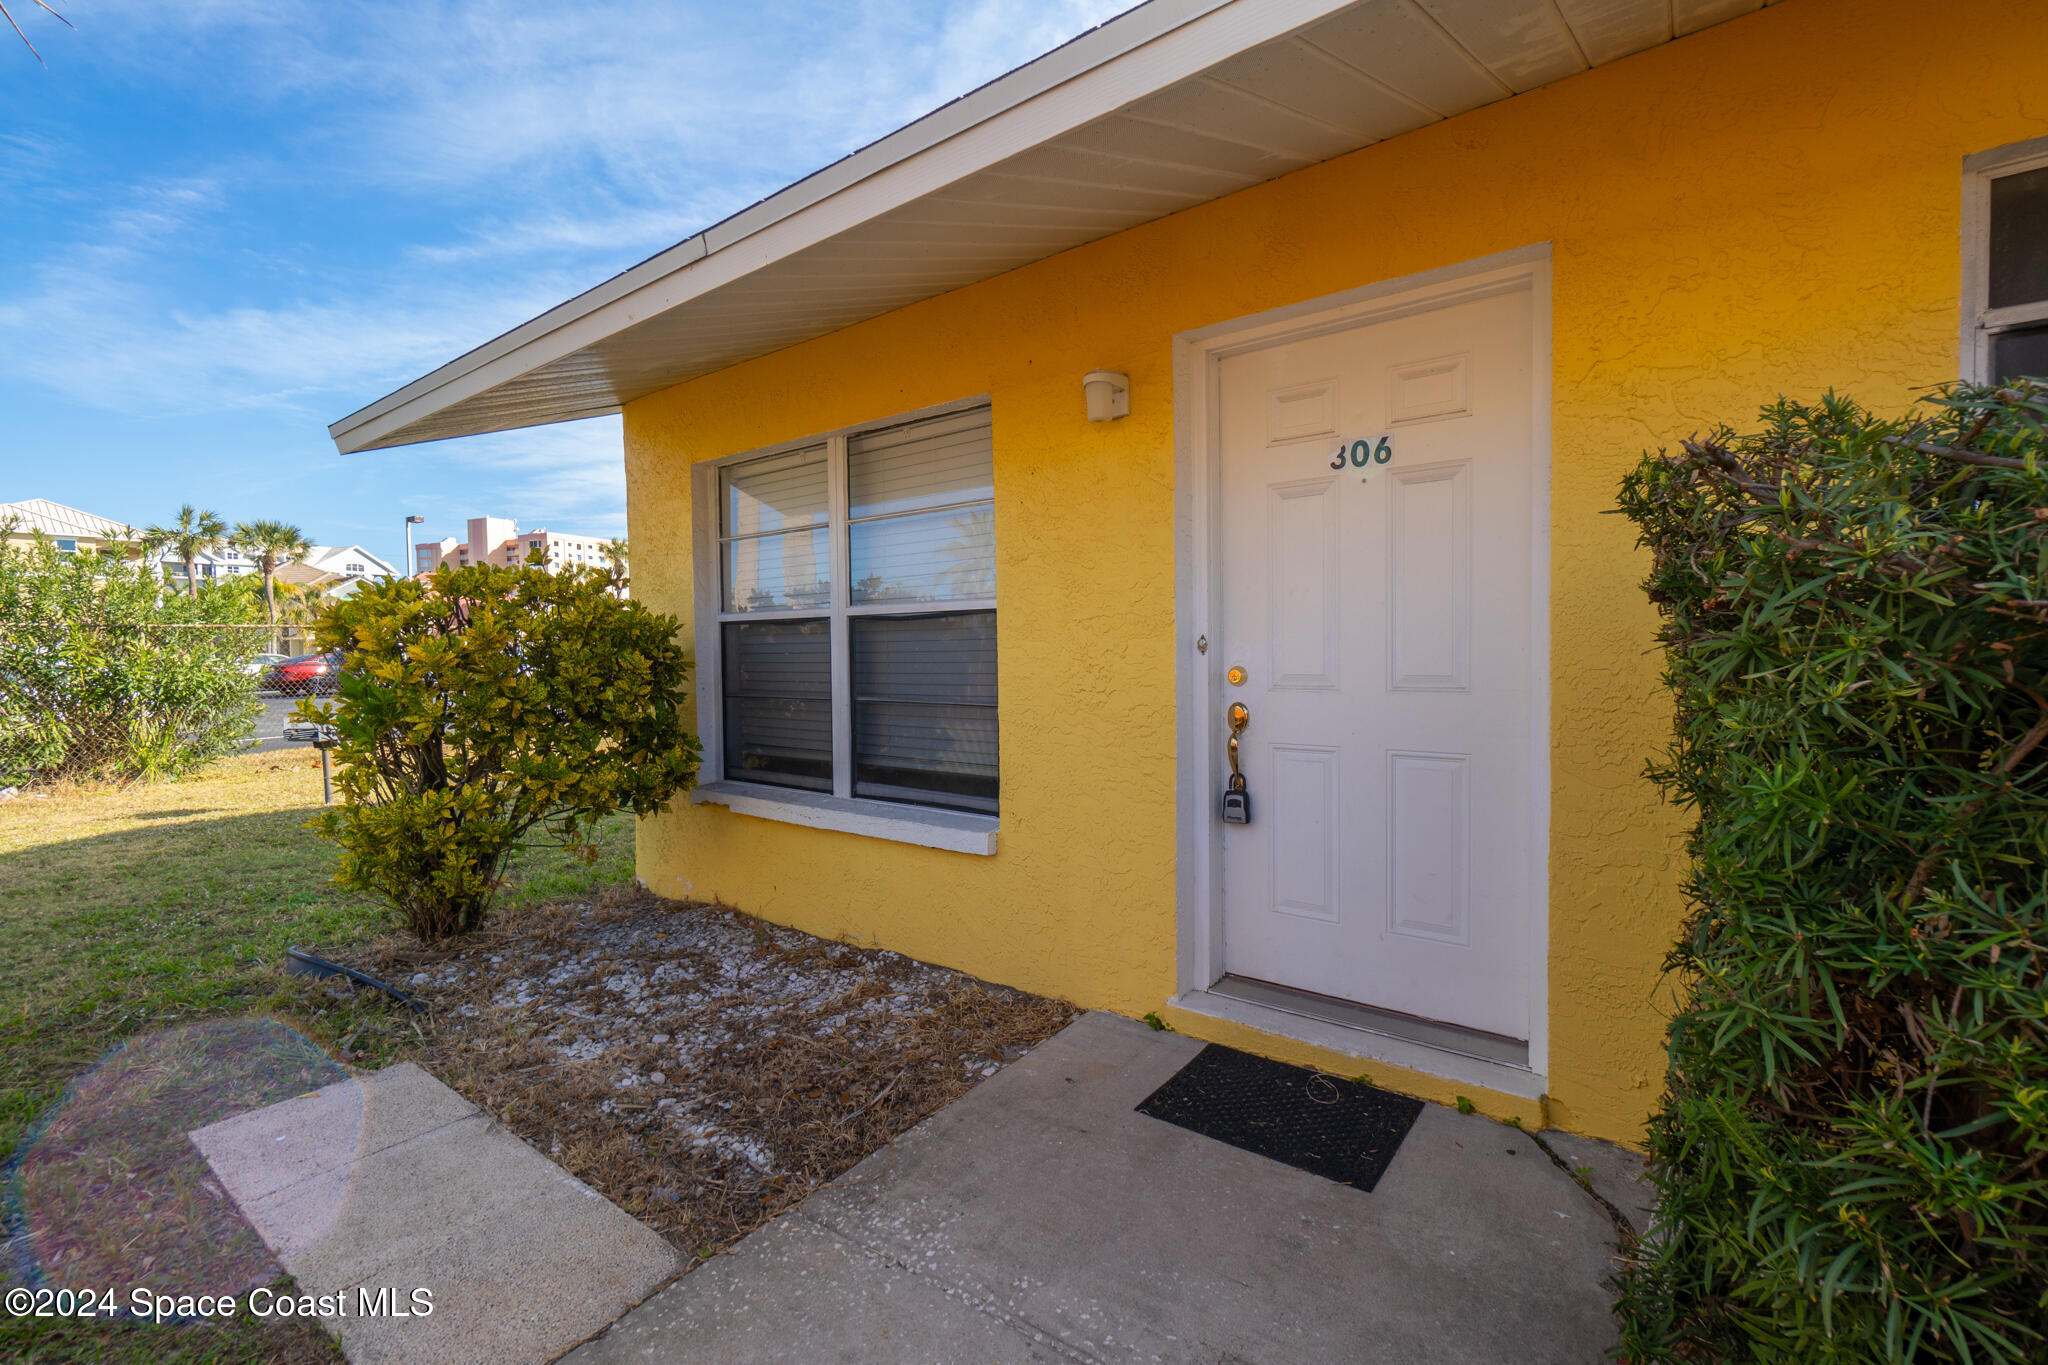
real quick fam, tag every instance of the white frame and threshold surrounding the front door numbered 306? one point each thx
(1199, 676)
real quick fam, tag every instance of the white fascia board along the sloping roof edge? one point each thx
(1097, 75)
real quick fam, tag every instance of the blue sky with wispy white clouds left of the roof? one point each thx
(232, 222)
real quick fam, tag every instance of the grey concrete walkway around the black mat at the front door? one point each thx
(1043, 1221)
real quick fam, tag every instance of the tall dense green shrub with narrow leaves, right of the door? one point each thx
(1854, 1139)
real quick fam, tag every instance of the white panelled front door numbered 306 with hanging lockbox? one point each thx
(1381, 617)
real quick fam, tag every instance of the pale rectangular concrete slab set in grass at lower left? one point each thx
(390, 1184)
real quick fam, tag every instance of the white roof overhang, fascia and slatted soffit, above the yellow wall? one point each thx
(1166, 107)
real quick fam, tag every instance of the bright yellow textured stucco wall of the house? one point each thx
(1770, 206)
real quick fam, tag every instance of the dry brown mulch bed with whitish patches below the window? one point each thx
(699, 1067)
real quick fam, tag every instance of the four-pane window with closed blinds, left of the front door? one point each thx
(857, 623)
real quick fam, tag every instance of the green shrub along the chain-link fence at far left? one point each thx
(108, 674)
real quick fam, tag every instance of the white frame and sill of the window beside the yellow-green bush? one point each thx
(888, 820)
